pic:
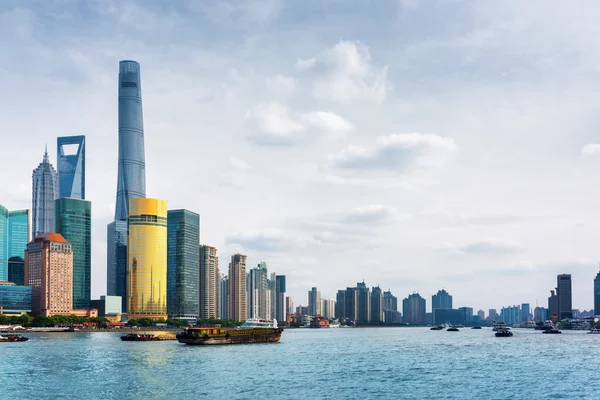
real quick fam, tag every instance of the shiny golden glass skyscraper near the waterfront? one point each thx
(147, 258)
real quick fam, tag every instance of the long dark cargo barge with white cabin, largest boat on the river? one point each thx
(252, 331)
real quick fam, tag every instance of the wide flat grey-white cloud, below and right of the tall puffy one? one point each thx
(397, 152)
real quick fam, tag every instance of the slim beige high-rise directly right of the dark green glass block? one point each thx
(210, 284)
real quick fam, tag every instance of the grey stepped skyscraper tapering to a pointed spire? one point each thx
(45, 191)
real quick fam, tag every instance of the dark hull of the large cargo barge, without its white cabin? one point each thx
(233, 337)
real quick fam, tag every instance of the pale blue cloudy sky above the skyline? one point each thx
(413, 145)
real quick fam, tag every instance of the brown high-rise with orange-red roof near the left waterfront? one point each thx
(49, 273)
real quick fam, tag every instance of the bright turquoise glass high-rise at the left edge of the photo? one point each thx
(14, 236)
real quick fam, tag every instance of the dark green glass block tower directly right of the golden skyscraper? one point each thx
(183, 264)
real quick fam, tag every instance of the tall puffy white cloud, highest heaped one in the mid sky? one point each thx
(351, 75)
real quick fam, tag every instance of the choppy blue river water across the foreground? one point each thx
(358, 363)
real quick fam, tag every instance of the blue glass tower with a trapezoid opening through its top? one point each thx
(71, 166)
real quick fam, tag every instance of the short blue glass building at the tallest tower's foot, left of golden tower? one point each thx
(116, 261)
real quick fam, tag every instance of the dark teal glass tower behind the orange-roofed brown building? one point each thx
(73, 218)
